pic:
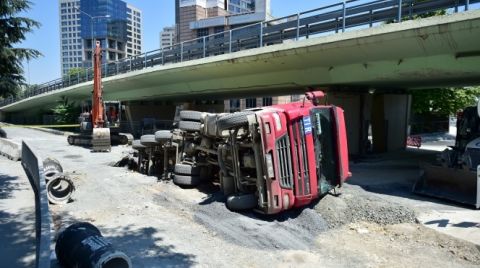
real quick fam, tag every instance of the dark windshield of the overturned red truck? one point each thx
(323, 130)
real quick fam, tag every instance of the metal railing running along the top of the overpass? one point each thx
(339, 17)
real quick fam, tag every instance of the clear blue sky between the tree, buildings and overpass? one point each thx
(156, 15)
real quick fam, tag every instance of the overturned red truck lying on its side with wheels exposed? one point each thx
(270, 159)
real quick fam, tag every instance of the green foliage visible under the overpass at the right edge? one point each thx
(445, 101)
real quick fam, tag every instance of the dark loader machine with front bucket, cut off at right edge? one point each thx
(456, 176)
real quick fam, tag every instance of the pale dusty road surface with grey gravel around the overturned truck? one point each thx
(160, 224)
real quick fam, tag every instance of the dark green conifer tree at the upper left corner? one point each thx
(13, 29)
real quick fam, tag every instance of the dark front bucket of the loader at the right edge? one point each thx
(458, 185)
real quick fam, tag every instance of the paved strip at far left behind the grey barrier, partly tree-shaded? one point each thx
(17, 216)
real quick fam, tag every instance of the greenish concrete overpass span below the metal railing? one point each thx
(434, 52)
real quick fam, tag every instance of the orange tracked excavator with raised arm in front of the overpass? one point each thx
(100, 127)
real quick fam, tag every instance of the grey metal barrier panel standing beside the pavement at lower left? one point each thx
(34, 169)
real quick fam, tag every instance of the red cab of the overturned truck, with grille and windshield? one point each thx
(300, 152)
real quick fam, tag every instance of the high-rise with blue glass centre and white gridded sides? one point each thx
(116, 24)
